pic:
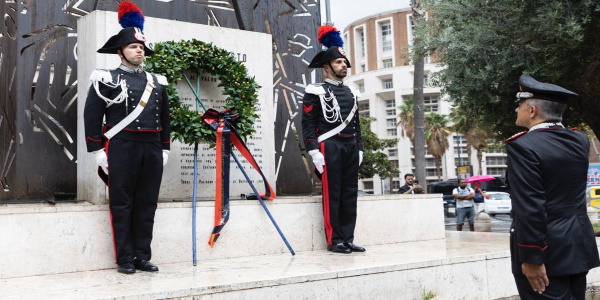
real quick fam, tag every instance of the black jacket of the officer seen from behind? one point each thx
(547, 174)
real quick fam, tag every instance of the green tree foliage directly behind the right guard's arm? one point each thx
(374, 160)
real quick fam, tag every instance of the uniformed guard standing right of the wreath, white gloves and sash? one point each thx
(332, 136)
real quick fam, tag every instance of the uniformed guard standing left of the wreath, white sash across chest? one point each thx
(135, 135)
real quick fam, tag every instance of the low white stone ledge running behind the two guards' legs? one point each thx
(42, 239)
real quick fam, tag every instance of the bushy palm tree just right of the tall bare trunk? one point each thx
(436, 137)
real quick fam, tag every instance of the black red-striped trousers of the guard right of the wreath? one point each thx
(340, 185)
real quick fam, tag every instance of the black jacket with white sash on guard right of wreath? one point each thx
(313, 119)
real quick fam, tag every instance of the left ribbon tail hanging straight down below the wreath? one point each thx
(223, 149)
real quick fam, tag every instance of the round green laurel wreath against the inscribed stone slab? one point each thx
(172, 59)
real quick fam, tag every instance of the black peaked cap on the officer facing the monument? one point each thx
(531, 88)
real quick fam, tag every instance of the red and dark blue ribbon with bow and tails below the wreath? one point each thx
(223, 123)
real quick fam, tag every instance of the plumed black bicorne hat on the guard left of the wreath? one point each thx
(132, 21)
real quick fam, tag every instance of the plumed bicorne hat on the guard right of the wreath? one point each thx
(329, 37)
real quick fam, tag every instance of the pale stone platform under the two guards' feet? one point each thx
(464, 265)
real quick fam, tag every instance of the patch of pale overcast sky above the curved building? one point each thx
(344, 12)
